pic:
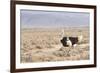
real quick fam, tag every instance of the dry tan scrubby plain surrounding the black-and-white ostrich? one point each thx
(43, 45)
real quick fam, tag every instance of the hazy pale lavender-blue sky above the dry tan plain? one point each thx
(33, 18)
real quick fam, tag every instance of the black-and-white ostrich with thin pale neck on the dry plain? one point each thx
(70, 41)
